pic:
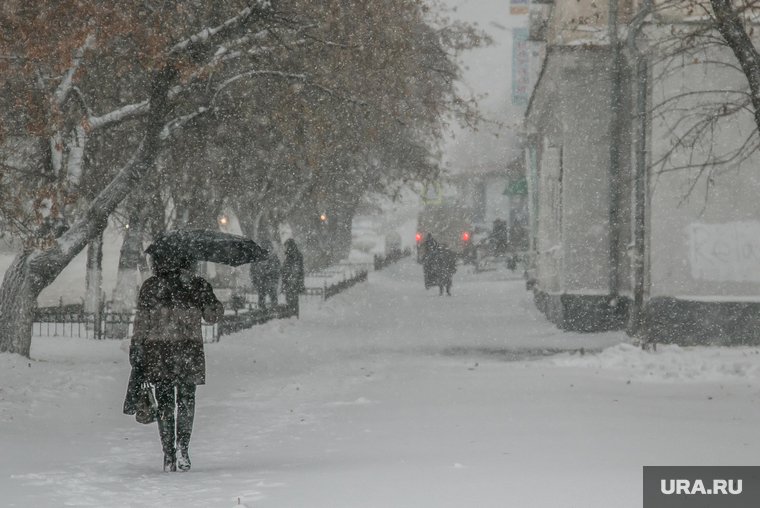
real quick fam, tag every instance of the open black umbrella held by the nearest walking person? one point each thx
(206, 245)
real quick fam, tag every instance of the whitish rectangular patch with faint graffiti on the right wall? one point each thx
(725, 252)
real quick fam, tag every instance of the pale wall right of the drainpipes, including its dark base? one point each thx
(704, 211)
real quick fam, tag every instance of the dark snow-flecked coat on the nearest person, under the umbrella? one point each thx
(167, 343)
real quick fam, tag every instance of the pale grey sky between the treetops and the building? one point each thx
(488, 72)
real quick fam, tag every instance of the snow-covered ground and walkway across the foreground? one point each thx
(385, 396)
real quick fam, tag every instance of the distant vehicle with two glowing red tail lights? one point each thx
(450, 225)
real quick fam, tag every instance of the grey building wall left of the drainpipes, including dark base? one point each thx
(570, 121)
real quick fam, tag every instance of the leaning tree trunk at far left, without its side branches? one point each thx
(33, 270)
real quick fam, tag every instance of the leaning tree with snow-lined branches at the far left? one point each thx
(48, 252)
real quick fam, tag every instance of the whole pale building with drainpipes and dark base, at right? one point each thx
(641, 190)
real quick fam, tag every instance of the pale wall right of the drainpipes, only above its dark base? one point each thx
(704, 220)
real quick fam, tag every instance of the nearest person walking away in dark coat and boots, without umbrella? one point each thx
(167, 348)
